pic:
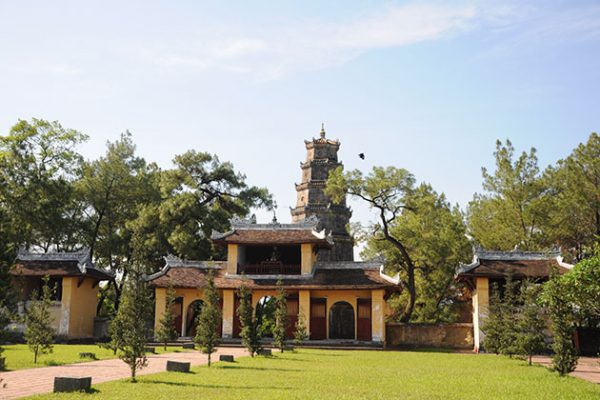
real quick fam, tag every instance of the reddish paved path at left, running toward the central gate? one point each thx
(28, 382)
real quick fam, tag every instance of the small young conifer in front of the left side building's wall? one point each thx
(39, 333)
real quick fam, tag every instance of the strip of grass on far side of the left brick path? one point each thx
(19, 356)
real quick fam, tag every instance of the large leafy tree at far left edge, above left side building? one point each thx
(38, 165)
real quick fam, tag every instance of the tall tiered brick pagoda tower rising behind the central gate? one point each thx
(321, 159)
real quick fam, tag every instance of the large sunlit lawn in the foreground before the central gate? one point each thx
(338, 375)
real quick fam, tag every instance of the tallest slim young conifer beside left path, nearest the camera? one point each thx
(130, 322)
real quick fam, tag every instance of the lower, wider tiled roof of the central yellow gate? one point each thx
(342, 275)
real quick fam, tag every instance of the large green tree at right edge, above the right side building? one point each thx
(574, 184)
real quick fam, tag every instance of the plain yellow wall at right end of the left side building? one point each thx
(79, 307)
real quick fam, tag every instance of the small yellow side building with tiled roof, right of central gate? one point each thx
(492, 267)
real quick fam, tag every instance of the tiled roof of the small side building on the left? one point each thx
(58, 264)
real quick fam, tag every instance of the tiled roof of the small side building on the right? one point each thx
(518, 263)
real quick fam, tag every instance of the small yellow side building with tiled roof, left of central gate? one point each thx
(74, 281)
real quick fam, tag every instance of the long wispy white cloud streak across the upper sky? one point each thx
(313, 45)
